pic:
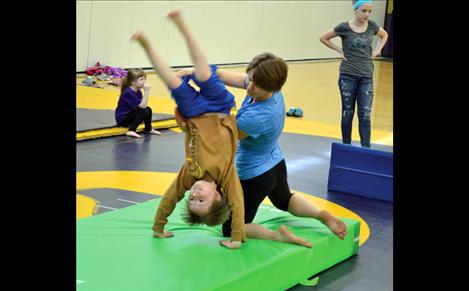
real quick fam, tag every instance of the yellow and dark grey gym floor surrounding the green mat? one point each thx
(112, 173)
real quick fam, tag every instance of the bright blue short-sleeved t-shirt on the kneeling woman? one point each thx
(263, 122)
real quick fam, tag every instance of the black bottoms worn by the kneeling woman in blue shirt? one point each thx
(272, 184)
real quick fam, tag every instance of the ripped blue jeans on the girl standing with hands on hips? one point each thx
(355, 89)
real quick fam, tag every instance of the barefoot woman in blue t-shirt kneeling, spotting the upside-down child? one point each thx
(259, 160)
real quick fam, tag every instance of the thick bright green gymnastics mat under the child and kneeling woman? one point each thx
(116, 251)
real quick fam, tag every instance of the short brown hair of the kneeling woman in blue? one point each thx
(270, 72)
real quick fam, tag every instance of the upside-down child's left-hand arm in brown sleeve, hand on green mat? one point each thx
(172, 196)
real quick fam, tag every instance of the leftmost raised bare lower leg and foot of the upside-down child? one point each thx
(161, 67)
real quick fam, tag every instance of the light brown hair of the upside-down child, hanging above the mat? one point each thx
(219, 213)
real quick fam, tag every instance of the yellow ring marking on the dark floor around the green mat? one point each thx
(156, 183)
